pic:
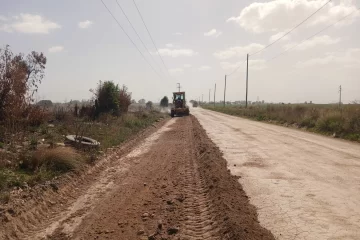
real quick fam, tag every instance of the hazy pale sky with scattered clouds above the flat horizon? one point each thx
(199, 41)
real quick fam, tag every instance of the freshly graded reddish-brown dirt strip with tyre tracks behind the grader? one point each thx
(173, 185)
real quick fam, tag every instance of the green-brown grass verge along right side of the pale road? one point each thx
(325, 119)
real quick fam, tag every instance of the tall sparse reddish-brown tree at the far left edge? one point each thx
(19, 79)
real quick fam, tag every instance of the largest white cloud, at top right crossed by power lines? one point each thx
(279, 15)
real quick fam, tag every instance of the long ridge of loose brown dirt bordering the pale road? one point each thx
(234, 211)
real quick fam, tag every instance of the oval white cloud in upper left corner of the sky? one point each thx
(28, 23)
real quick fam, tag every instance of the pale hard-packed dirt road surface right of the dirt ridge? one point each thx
(305, 186)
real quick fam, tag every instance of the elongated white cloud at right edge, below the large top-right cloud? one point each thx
(350, 59)
